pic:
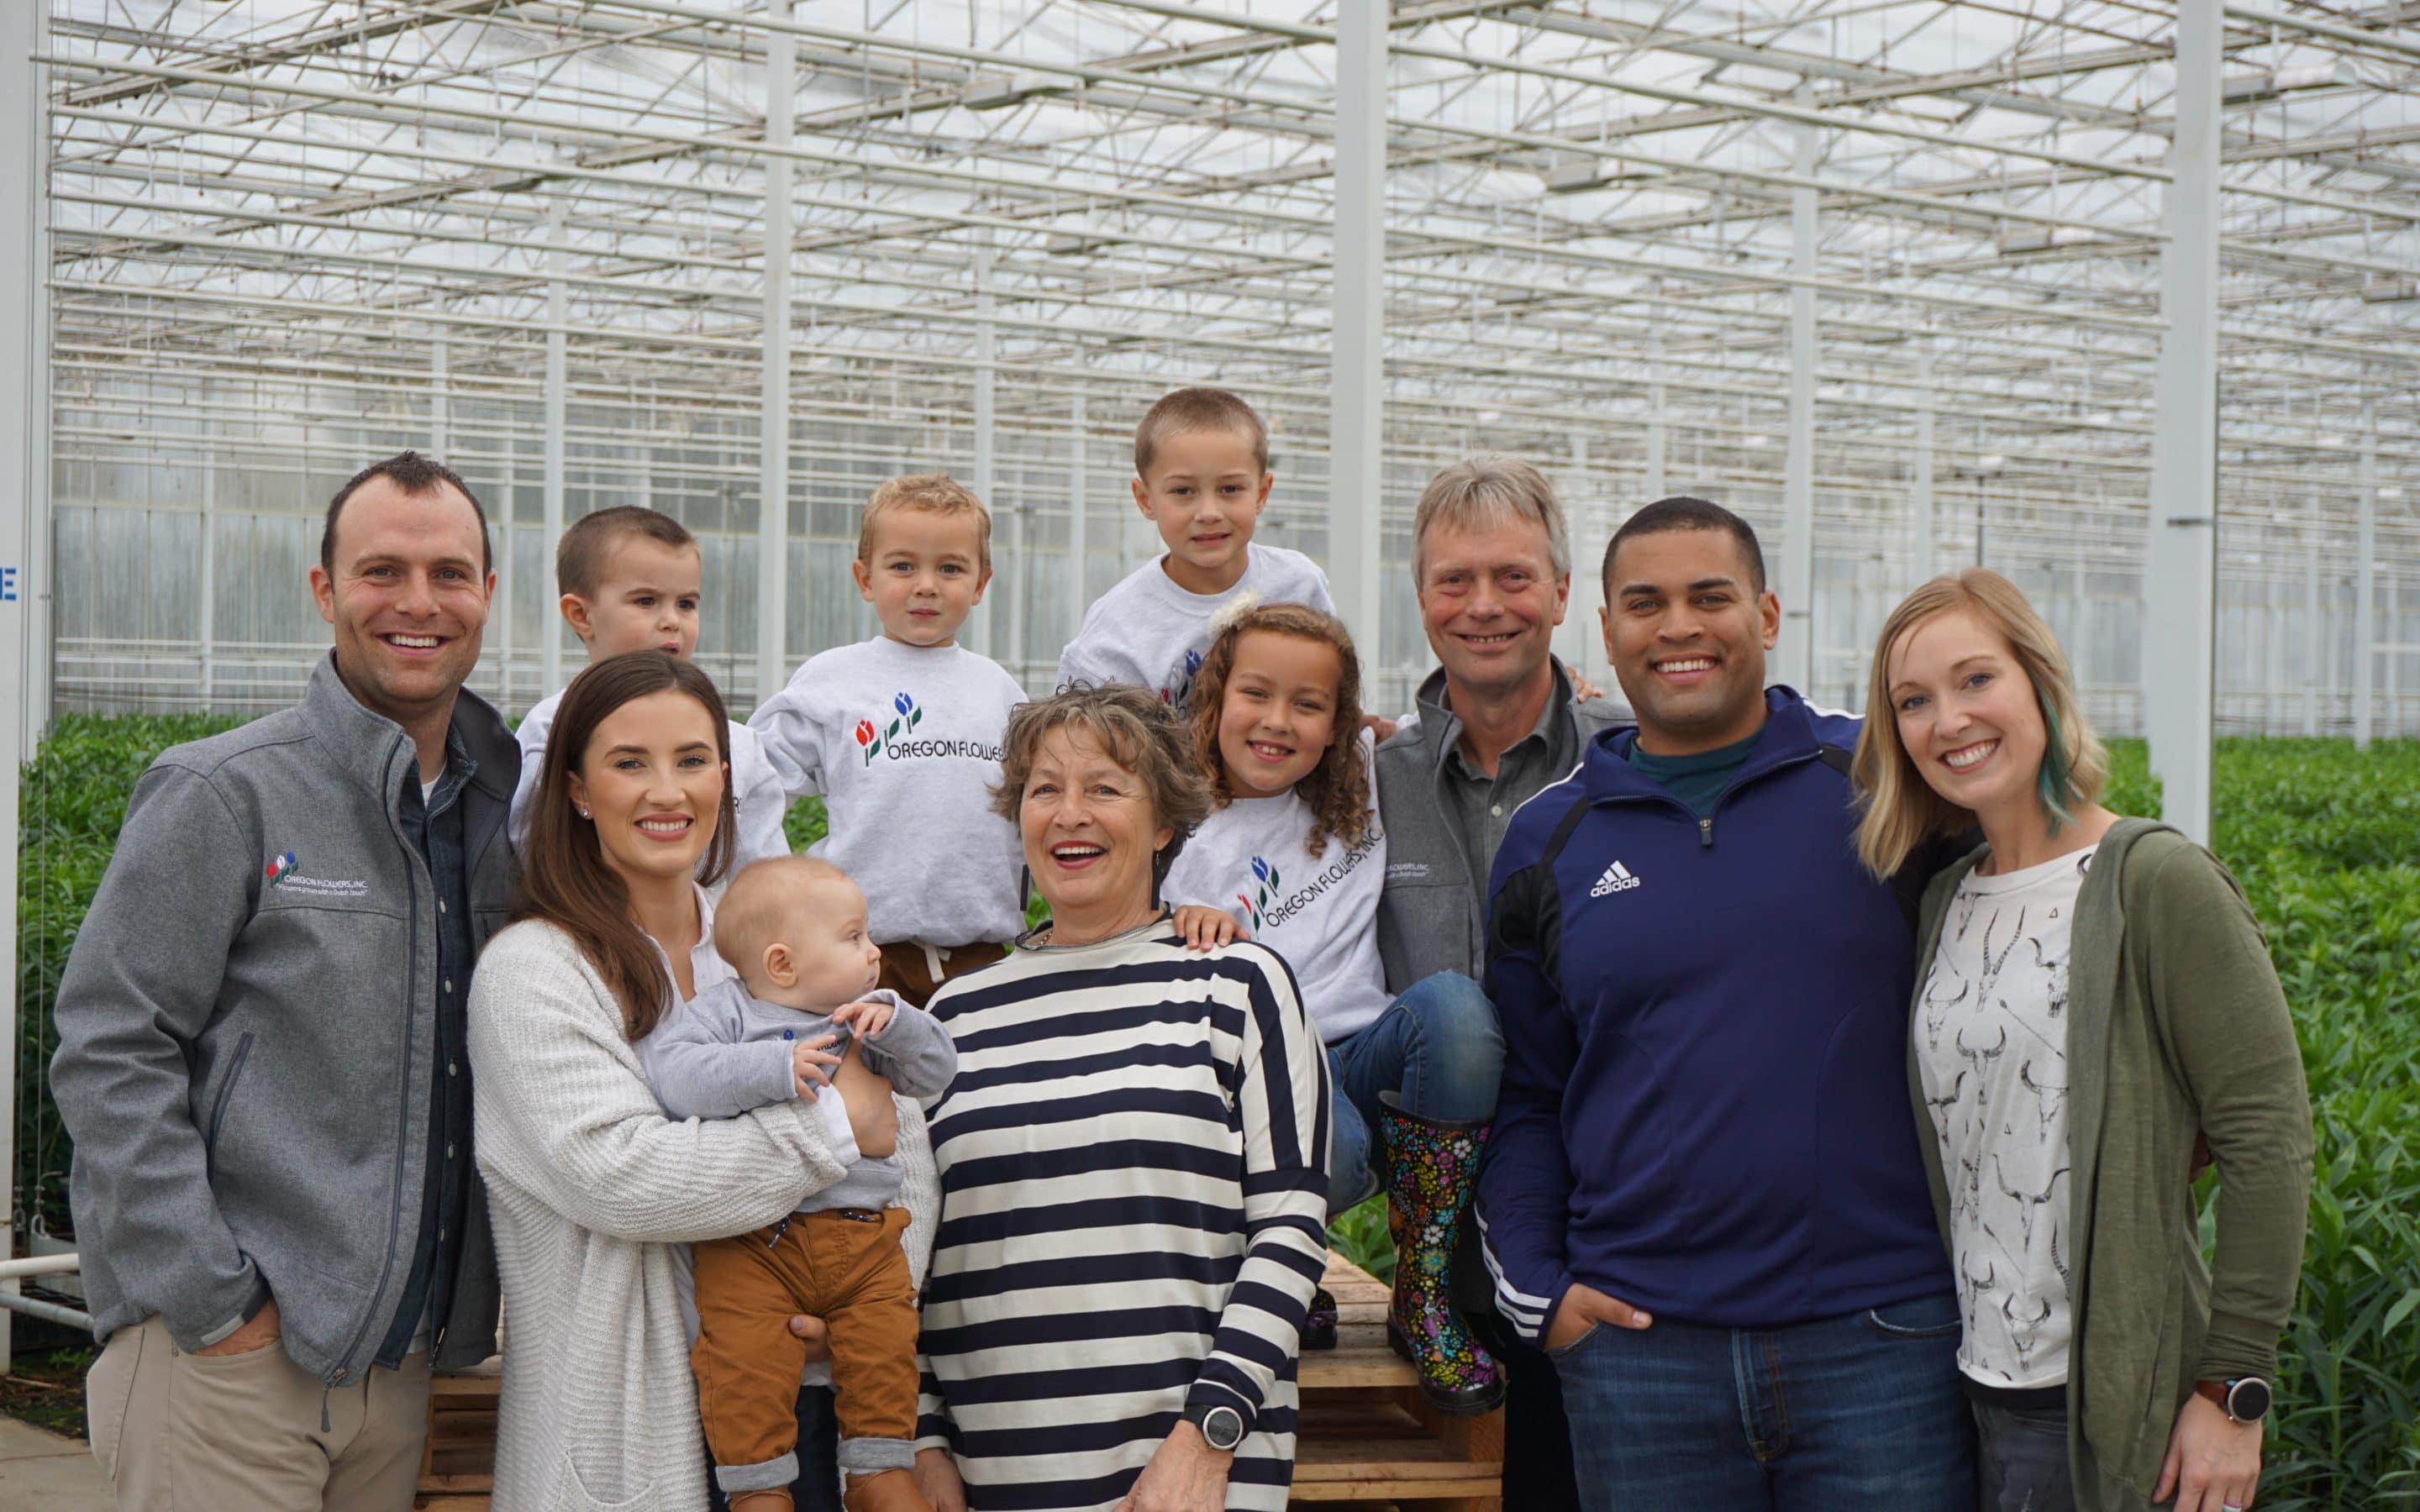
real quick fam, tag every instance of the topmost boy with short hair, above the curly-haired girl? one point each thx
(1202, 478)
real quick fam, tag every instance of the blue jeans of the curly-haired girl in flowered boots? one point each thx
(1436, 1049)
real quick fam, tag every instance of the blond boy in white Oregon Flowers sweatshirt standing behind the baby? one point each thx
(901, 734)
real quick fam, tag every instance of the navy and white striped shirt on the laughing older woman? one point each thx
(1134, 1216)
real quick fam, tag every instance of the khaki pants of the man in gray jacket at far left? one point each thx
(243, 1433)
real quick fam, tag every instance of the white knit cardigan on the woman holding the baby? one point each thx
(592, 1194)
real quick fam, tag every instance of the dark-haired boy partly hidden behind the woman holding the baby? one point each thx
(633, 579)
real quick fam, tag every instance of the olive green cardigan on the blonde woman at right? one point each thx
(2174, 1029)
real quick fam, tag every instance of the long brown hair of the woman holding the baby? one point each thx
(563, 867)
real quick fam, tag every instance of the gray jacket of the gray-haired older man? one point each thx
(1431, 916)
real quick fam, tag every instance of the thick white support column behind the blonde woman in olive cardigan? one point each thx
(2182, 553)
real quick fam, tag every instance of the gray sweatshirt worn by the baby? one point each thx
(725, 1054)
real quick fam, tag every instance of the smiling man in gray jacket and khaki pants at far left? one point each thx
(260, 1046)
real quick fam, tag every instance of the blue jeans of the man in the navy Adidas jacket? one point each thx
(1836, 1416)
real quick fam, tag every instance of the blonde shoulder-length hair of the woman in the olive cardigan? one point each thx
(1901, 809)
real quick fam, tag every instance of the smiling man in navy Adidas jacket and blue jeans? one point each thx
(1705, 1194)
